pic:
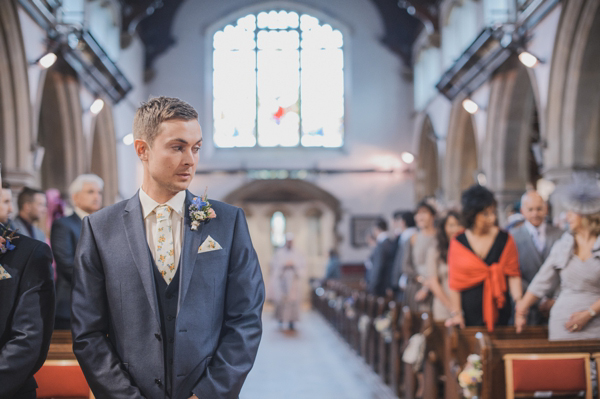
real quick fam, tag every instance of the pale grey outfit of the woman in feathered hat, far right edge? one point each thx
(579, 288)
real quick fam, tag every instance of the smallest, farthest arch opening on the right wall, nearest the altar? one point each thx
(427, 178)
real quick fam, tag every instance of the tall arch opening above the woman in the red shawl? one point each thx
(512, 158)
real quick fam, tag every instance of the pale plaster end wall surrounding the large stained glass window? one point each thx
(378, 110)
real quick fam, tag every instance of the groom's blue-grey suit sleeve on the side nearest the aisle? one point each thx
(242, 326)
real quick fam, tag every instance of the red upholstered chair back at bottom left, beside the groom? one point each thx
(62, 379)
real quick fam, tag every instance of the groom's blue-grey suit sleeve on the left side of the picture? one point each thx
(90, 320)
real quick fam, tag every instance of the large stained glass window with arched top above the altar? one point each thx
(278, 80)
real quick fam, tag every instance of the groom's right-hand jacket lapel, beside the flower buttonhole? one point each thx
(191, 241)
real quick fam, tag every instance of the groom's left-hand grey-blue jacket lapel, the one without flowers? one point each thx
(136, 237)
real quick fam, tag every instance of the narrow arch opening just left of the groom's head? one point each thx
(104, 153)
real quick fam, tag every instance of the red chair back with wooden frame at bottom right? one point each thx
(557, 374)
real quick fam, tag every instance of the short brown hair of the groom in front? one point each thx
(155, 111)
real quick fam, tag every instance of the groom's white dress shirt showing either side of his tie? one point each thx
(177, 204)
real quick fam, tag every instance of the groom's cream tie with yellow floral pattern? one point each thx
(165, 255)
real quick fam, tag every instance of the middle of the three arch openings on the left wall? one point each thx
(60, 130)
